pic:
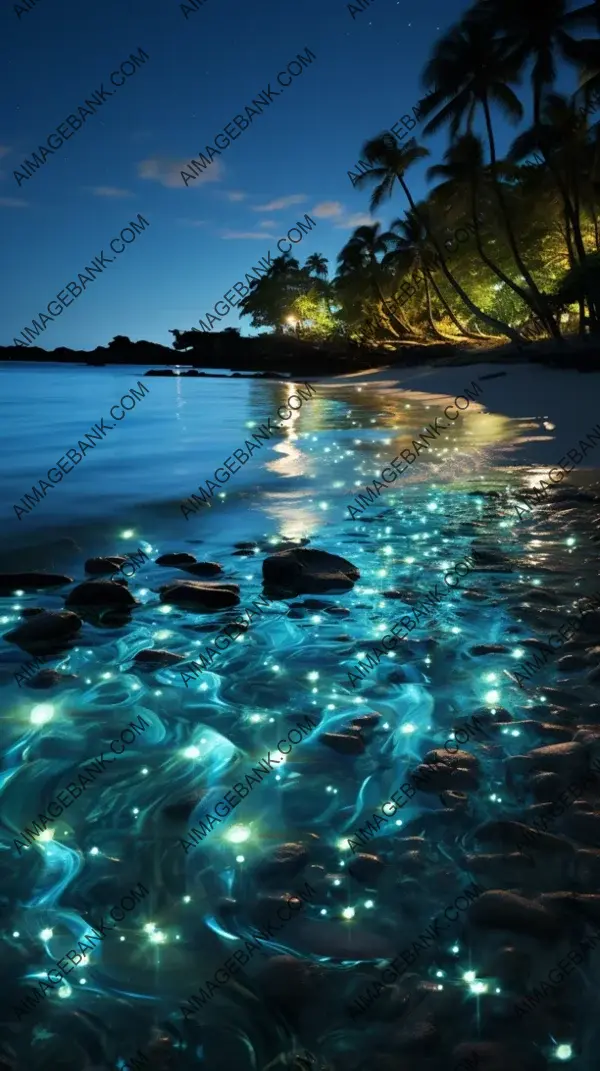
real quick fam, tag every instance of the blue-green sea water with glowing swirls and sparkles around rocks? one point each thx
(129, 825)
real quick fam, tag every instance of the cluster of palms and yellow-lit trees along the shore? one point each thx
(532, 263)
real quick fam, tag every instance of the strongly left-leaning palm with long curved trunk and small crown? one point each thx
(391, 165)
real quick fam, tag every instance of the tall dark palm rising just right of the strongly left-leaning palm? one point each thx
(471, 69)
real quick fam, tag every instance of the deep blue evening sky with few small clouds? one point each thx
(127, 159)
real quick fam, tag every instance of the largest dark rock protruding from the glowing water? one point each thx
(305, 571)
